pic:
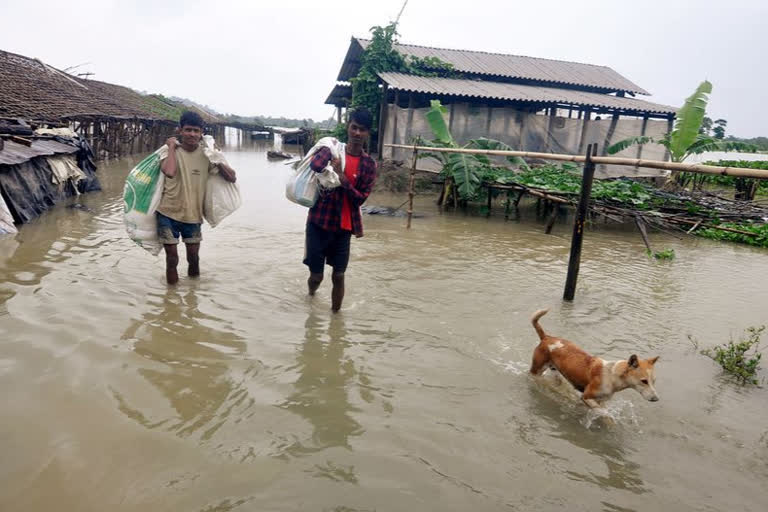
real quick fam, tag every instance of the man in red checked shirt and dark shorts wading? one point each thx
(336, 215)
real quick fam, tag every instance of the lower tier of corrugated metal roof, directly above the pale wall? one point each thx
(518, 92)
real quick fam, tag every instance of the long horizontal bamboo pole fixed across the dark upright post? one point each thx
(607, 160)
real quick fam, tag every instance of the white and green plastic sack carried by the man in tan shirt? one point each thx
(141, 196)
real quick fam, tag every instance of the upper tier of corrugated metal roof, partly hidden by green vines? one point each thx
(503, 65)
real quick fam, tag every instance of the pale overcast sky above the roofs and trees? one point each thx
(282, 57)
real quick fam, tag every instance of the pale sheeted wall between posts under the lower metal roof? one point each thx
(525, 131)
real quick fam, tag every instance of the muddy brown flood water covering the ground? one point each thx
(238, 392)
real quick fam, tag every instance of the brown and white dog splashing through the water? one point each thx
(597, 379)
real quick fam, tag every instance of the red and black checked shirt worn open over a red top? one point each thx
(327, 212)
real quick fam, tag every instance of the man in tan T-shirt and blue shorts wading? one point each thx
(180, 211)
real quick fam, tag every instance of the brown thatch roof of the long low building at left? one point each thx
(33, 90)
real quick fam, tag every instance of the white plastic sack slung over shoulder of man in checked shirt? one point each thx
(303, 187)
